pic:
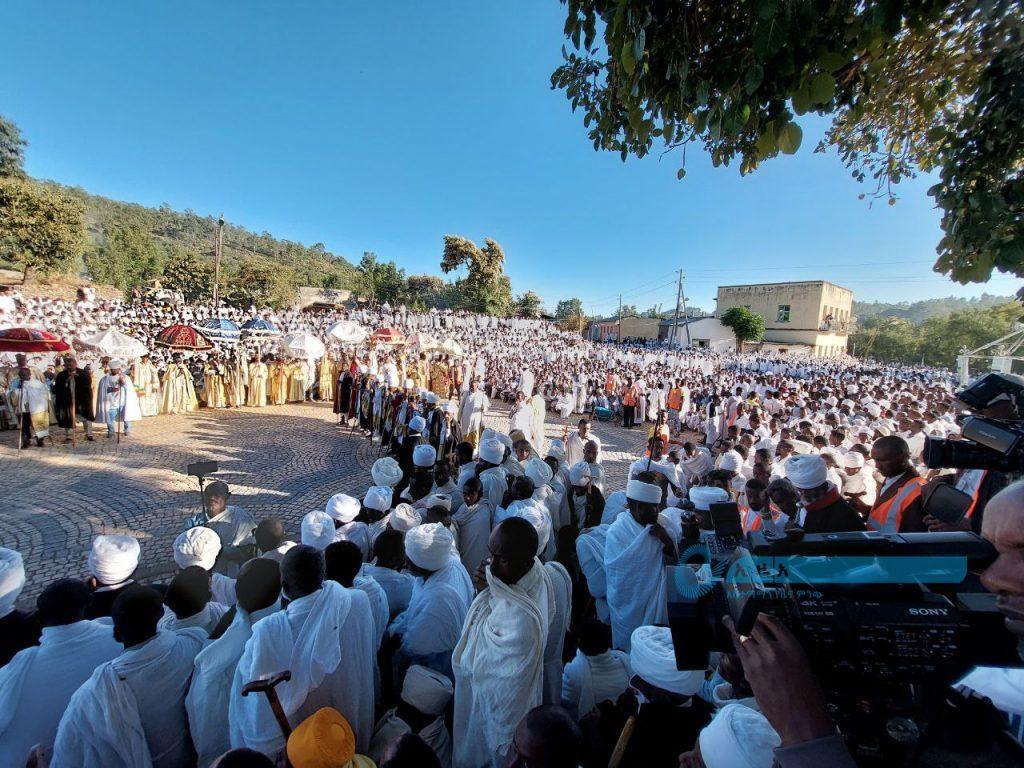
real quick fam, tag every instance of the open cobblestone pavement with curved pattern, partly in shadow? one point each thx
(280, 461)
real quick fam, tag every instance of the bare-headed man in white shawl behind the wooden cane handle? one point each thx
(325, 638)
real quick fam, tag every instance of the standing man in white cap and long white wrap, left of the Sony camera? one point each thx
(637, 549)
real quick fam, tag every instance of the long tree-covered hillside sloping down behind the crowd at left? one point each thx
(178, 232)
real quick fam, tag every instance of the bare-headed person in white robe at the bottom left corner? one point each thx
(37, 685)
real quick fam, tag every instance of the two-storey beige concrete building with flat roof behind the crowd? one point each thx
(813, 317)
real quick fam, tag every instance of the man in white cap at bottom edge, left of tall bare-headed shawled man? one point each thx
(425, 696)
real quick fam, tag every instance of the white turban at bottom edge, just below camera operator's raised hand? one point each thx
(739, 738)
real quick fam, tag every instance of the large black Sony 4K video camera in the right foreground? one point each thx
(888, 622)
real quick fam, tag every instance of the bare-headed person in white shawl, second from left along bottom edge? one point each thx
(132, 712)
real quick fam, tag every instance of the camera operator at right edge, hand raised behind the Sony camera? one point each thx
(791, 698)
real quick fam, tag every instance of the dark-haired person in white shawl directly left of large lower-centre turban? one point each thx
(596, 674)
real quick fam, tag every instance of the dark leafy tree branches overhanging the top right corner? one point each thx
(910, 87)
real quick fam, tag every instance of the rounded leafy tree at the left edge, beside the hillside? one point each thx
(41, 229)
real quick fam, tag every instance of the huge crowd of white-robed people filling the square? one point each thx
(493, 599)
